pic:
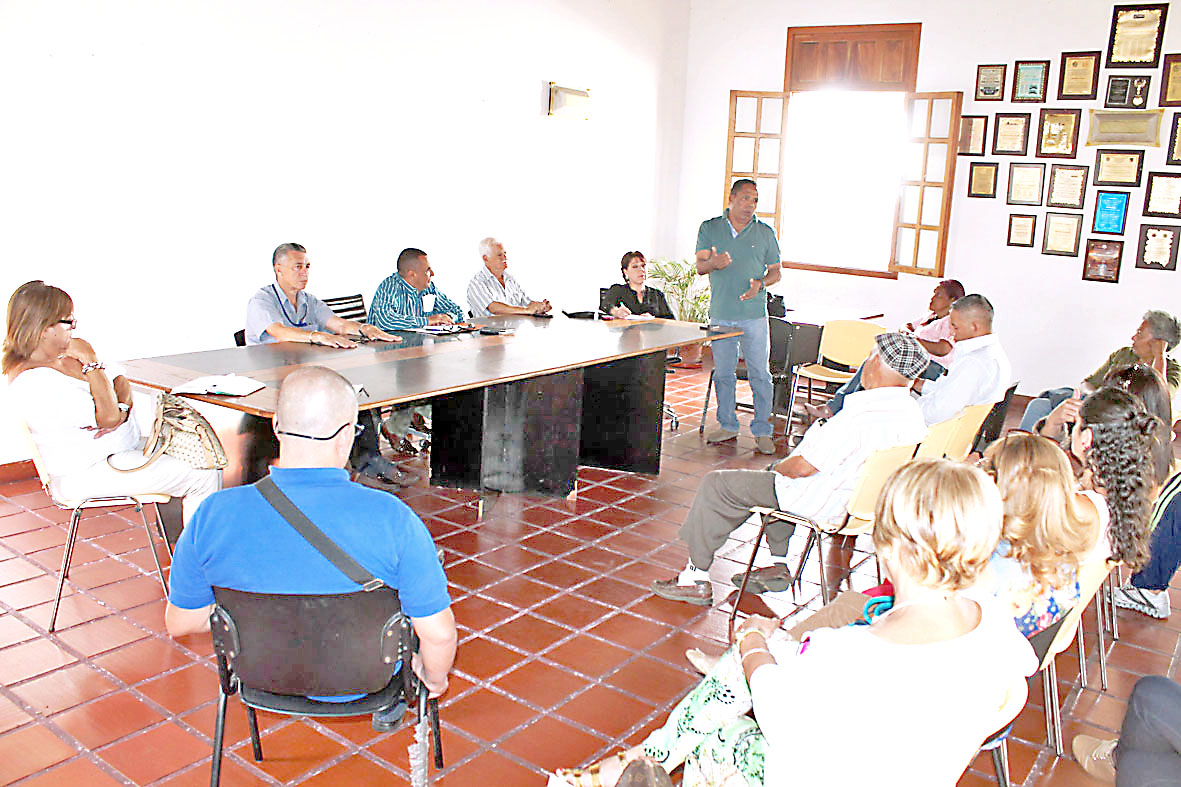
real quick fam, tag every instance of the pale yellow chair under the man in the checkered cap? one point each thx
(858, 521)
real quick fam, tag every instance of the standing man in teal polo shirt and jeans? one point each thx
(741, 256)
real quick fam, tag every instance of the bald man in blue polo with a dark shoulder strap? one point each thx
(238, 541)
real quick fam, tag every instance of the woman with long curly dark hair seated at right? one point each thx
(1114, 439)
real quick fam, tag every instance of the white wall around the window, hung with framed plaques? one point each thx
(1055, 327)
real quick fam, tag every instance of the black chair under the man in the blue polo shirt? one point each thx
(278, 652)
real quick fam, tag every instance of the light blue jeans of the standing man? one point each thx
(756, 349)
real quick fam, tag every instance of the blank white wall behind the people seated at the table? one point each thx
(156, 152)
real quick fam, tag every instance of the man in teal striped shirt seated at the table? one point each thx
(408, 300)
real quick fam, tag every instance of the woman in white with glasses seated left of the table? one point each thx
(79, 409)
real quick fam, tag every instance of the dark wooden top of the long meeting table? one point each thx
(423, 366)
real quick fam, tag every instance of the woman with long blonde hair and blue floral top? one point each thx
(1050, 530)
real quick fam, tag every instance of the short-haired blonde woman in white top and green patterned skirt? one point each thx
(943, 666)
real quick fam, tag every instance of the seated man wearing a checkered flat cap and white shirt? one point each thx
(815, 482)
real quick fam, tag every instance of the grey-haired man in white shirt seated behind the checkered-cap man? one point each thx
(981, 373)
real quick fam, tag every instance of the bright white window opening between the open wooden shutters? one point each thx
(821, 177)
